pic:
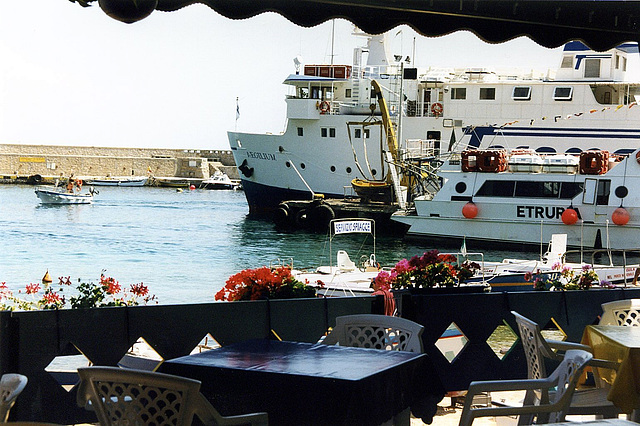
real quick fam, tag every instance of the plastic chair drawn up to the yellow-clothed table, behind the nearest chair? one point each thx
(537, 348)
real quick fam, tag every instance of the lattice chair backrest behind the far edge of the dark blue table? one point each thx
(377, 332)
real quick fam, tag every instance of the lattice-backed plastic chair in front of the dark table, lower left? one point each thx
(126, 396)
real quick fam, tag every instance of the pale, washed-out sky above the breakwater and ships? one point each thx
(73, 76)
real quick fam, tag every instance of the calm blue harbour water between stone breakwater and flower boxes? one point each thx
(182, 245)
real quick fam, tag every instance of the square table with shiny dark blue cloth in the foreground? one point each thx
(306, 384)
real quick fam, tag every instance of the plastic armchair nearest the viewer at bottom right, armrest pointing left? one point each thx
(556, 390)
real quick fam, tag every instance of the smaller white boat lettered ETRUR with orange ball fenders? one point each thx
(525, 197)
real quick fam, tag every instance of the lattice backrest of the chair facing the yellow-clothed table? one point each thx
(535, 346)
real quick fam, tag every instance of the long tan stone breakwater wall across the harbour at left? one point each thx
(19, 162)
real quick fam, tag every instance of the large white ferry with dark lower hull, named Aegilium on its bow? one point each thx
(588, 102)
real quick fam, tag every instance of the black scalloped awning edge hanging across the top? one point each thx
(601, 24)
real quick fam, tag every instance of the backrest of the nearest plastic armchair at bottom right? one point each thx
(565, 377)
